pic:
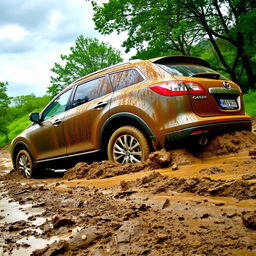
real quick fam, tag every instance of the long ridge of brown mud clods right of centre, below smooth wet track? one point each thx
(157, 183)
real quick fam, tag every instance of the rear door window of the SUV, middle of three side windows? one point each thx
(90, 90)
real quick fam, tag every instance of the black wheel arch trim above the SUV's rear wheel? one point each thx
(121, 119)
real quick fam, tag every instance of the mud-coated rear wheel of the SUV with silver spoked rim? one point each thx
(128, 145)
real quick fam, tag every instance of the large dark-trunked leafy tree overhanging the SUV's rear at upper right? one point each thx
(179, 25)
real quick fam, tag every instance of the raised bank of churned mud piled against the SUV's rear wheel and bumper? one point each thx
(222, 145)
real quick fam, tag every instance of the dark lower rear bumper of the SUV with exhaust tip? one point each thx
(207, 130)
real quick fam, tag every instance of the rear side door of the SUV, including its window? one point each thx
(90, 109)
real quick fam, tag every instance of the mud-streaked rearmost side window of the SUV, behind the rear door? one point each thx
(125, 78)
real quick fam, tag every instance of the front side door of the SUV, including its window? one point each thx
(47, 138)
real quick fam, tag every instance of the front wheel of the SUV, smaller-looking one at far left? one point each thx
(25, 165)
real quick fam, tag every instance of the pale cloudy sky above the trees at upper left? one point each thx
(33, 35)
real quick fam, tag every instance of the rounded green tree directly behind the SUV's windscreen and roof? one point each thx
(88, 55)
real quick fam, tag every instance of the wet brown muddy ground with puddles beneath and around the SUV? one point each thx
(177, 203)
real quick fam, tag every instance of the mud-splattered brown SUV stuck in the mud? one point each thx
(127, 110)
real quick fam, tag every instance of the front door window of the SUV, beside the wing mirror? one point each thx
(58, 106)
